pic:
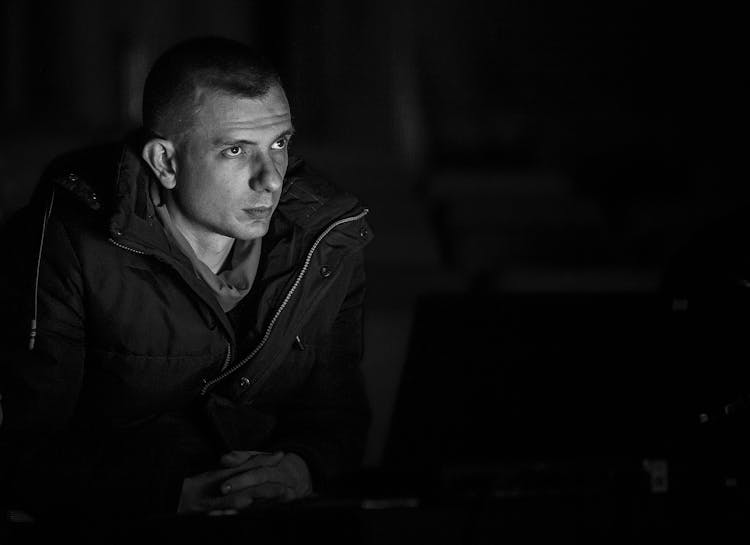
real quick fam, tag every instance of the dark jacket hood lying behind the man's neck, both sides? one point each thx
(112, 180)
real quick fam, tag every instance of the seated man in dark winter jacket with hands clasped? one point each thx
(187, 310)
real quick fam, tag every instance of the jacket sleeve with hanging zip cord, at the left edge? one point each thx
(53, 467)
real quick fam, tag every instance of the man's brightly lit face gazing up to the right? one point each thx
(231, 164)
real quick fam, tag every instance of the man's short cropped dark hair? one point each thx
(206, 63)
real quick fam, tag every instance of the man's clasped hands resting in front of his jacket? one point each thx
(247, 476)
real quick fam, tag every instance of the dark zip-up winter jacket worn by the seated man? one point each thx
(121, 374)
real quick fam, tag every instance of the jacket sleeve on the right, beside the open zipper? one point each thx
(327, 423)
